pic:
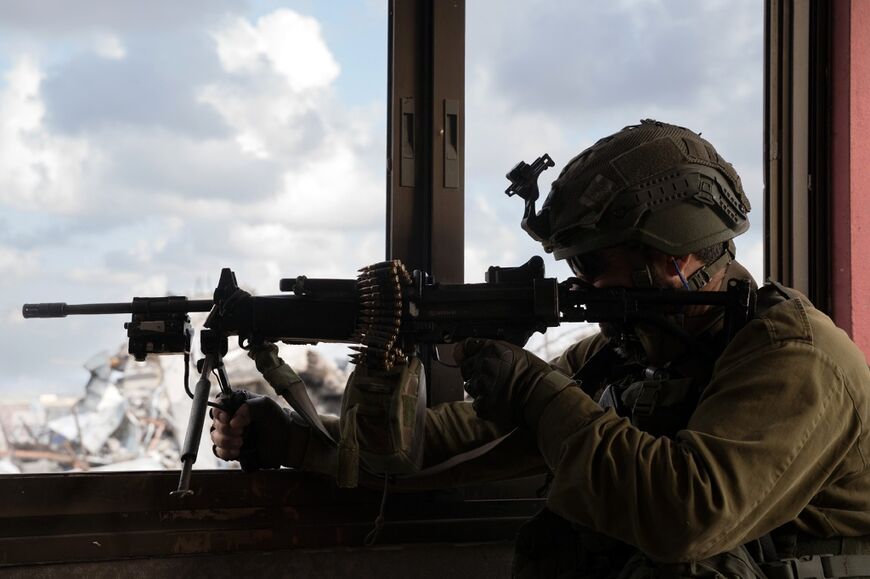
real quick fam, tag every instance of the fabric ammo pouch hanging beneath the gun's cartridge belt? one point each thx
(381, 422)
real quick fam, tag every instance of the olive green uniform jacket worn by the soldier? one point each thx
(780, 435)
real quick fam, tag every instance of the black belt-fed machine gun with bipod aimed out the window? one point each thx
(389, 314)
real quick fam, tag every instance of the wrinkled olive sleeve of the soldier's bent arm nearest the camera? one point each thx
(773, 425)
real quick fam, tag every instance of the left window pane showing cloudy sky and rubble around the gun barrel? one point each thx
(143, 147)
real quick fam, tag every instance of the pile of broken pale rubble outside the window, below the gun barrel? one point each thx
(133, 415)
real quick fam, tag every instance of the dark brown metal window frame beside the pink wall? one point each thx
(797, 146)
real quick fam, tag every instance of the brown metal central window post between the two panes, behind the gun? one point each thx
(426, 152)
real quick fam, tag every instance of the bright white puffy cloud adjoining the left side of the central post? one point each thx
(285, 109)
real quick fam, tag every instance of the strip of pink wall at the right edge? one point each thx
(851, 170)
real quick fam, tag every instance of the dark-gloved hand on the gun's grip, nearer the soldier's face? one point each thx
(501, 378)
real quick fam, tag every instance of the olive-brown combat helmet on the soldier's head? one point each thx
(653, 183)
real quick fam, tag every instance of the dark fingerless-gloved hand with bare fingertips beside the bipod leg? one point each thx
(260, 434)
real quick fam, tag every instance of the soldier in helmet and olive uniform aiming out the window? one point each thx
(672, 453)
